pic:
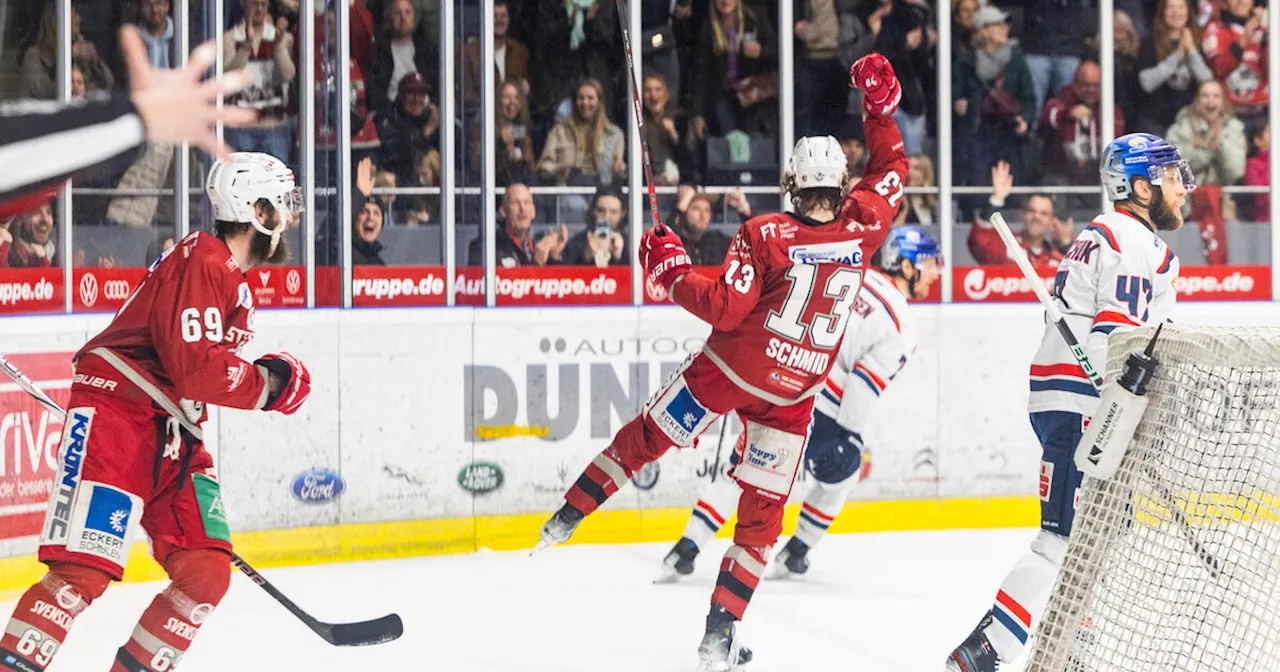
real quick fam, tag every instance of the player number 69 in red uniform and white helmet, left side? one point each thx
(132, 452)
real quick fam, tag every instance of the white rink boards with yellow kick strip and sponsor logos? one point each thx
(444, 431)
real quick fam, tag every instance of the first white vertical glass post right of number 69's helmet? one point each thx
(308, 135)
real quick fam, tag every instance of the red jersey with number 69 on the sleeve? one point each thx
(180, 333)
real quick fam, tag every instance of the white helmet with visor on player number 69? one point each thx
(237, 182)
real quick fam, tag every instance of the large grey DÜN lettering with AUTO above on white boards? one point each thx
(593, 380)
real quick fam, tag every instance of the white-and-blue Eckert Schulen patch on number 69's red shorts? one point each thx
(104, 523)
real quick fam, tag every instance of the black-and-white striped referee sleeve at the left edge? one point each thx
(44, 143)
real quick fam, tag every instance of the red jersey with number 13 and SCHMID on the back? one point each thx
(781, 304)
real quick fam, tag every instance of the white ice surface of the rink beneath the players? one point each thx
(888, 602)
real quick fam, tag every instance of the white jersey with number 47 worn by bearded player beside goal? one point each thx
(1118, 275)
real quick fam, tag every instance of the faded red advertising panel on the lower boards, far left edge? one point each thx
(29, 442)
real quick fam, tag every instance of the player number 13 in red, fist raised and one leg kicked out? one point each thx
(778, 313)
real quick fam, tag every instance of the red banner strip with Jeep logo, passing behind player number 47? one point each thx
(1195, 284)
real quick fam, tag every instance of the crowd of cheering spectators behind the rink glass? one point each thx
(1026, 100)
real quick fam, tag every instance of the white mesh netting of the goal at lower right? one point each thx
(1174, 565)
